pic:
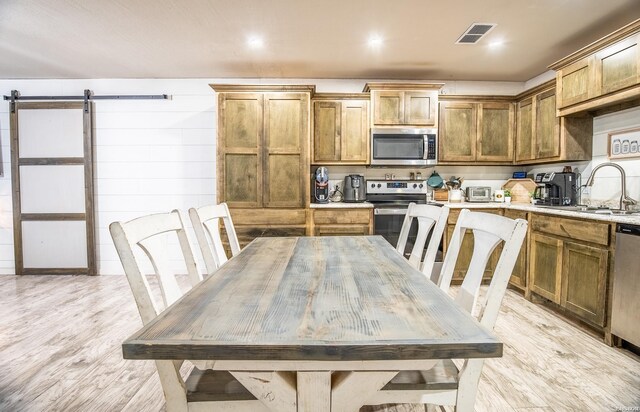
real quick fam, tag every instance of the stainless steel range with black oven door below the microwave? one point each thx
(391, 200)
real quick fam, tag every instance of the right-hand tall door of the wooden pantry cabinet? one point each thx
(286, 135)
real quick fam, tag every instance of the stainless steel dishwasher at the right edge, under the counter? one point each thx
(625, 310)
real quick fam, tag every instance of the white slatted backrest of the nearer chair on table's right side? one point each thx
(489, 231)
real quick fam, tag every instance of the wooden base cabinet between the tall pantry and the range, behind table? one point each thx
(341, 222)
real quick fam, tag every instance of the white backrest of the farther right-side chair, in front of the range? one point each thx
(431, 220)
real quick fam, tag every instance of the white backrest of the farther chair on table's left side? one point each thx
(205, 221)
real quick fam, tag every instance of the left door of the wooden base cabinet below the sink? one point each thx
(545, 266)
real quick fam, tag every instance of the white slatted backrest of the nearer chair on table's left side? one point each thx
(148, 235)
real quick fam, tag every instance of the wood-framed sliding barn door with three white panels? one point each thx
(52, 177)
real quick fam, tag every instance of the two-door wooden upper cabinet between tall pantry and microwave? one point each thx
(340, 130)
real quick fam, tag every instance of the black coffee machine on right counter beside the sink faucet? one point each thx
(556, 189)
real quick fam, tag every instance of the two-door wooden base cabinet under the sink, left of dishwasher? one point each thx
(569, 264)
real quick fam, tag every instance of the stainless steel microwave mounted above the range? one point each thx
(404, 147)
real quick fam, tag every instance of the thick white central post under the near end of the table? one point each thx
(314, 391)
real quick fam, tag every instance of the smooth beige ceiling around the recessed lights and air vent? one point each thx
(302, 38)
